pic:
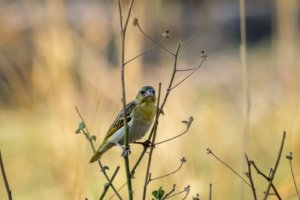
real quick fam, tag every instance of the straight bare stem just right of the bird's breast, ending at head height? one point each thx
(153, 141)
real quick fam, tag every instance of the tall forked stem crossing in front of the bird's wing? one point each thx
(122, 36)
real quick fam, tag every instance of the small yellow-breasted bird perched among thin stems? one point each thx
(140, 114)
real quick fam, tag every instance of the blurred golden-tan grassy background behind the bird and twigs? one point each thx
(56, 54)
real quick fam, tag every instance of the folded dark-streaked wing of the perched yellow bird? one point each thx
(119, 121)
